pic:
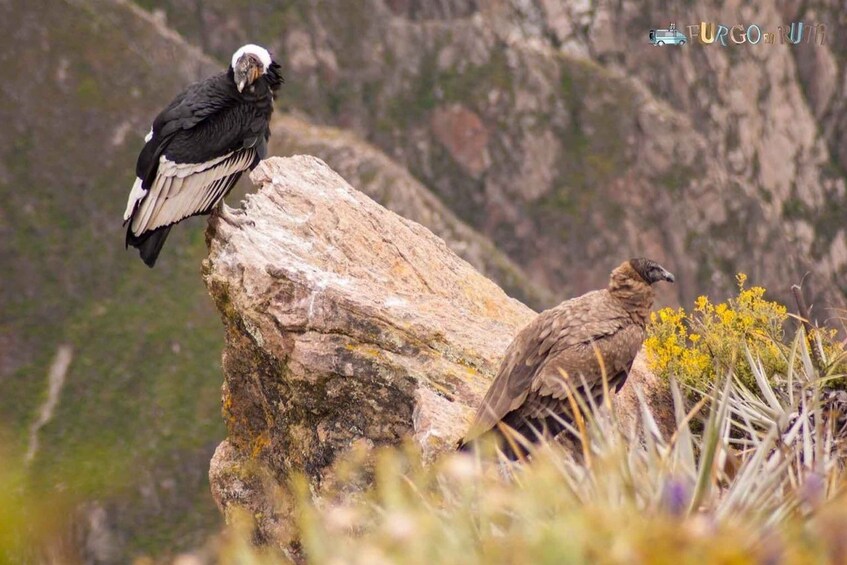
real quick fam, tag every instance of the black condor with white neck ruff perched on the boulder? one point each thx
(199, 146)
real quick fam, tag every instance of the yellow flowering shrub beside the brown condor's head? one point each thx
(695, 347)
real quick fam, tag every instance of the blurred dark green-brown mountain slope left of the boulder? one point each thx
(137, 418)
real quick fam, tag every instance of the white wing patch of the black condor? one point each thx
(181, 190)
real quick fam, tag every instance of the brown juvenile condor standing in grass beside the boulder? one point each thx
(528, 394)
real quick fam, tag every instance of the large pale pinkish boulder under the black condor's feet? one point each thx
(346, 325)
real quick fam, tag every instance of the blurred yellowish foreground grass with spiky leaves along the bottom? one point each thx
(752, 474)
